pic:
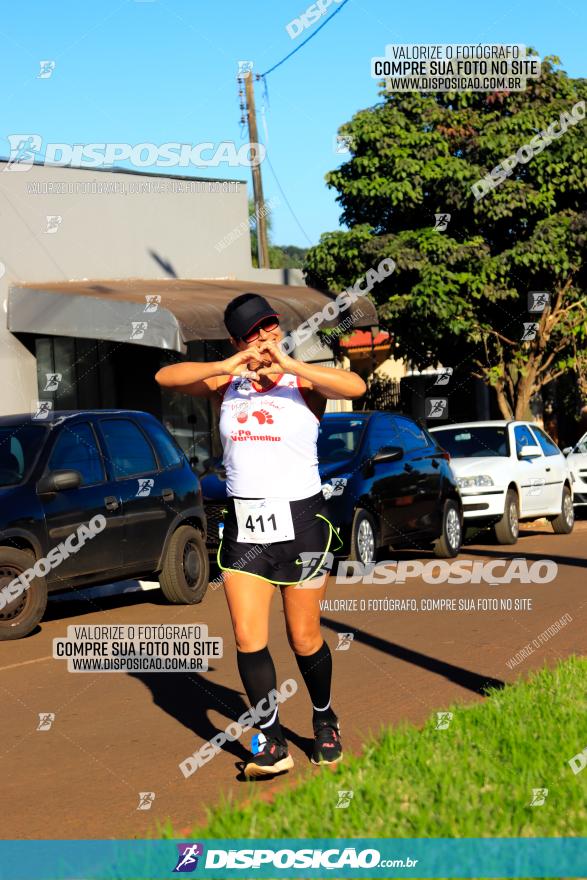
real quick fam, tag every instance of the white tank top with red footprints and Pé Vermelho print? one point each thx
(269, 441)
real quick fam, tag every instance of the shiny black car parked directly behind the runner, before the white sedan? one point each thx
(387, 481)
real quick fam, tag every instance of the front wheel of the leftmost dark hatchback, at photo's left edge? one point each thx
(20, 617)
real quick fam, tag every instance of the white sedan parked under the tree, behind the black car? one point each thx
(507, 472)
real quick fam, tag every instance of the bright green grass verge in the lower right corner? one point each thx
(474, 779)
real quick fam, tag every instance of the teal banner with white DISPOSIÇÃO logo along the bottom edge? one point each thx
(375, 857)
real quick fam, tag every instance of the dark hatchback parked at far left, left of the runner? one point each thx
(59, 474)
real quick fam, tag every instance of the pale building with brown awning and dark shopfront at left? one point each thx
(132, 276)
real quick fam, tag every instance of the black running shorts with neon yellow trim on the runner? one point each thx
(283, 562)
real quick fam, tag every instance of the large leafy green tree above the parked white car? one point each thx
(461, 296)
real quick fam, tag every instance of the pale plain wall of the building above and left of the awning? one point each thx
(110, 235)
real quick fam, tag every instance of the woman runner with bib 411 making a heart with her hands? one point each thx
(270, 406)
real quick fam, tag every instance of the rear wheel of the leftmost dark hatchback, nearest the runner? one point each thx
(186, 568)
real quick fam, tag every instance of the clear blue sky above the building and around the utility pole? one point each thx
(165, 70)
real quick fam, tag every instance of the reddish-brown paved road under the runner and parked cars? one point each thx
(116, 735)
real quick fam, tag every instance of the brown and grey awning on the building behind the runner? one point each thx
(187, 310)
